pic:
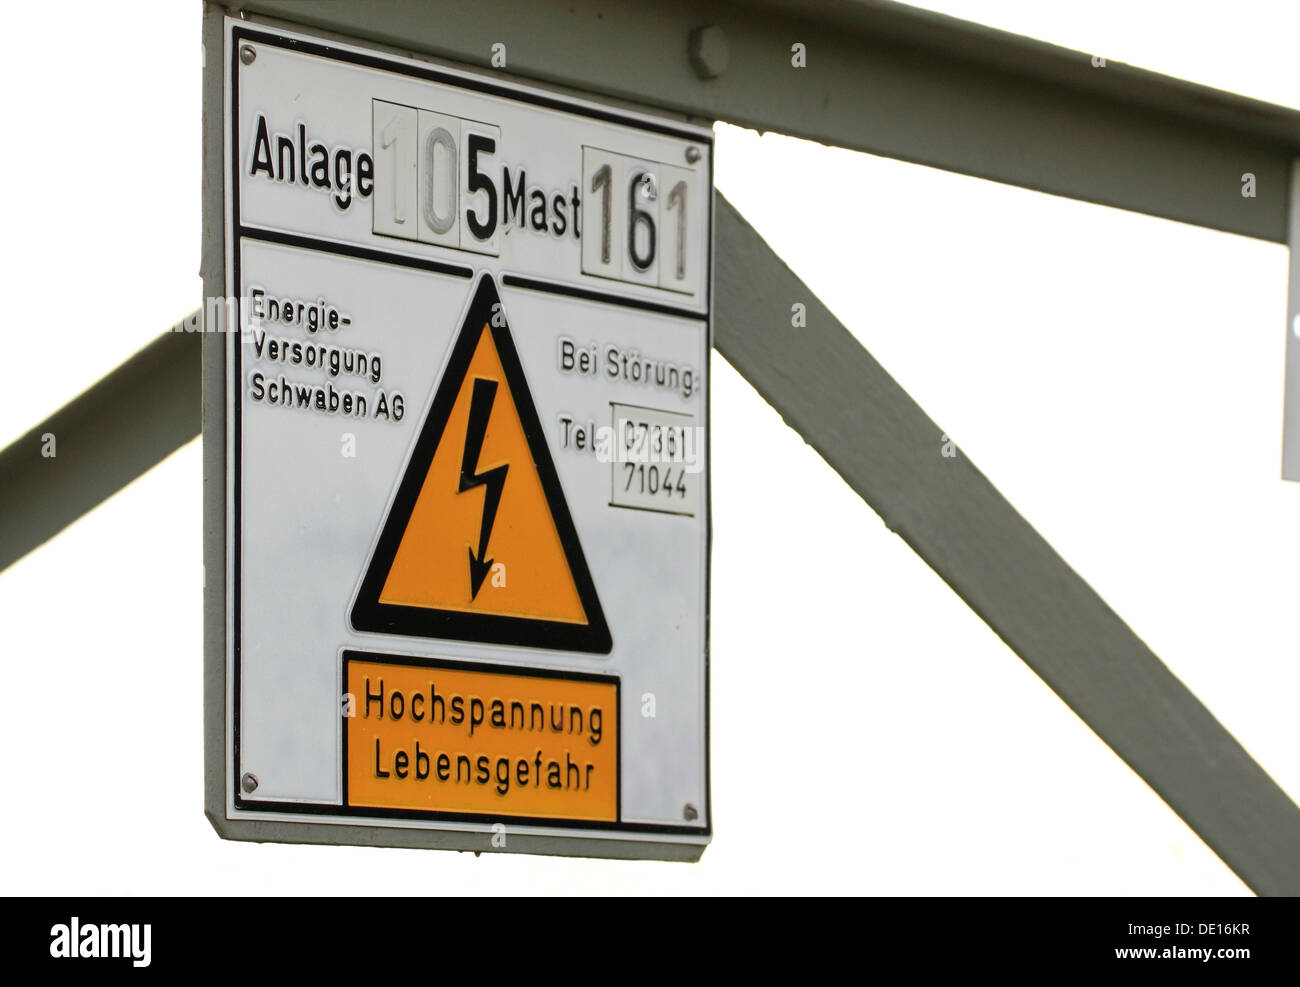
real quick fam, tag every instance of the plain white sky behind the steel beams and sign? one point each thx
(1119, 378)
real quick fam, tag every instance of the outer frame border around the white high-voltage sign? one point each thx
(335, 825)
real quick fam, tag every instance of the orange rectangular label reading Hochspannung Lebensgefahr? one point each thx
(448, 738)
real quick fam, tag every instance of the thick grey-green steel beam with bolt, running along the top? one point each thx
(885, 79)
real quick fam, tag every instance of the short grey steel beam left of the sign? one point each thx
(102, 440)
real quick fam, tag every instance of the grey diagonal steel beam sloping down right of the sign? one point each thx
(830, 391)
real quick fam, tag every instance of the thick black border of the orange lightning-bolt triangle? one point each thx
(370, 614)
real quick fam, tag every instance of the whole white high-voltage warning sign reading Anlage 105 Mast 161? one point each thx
(458, 444)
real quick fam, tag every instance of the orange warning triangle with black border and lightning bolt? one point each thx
(479, 543)
